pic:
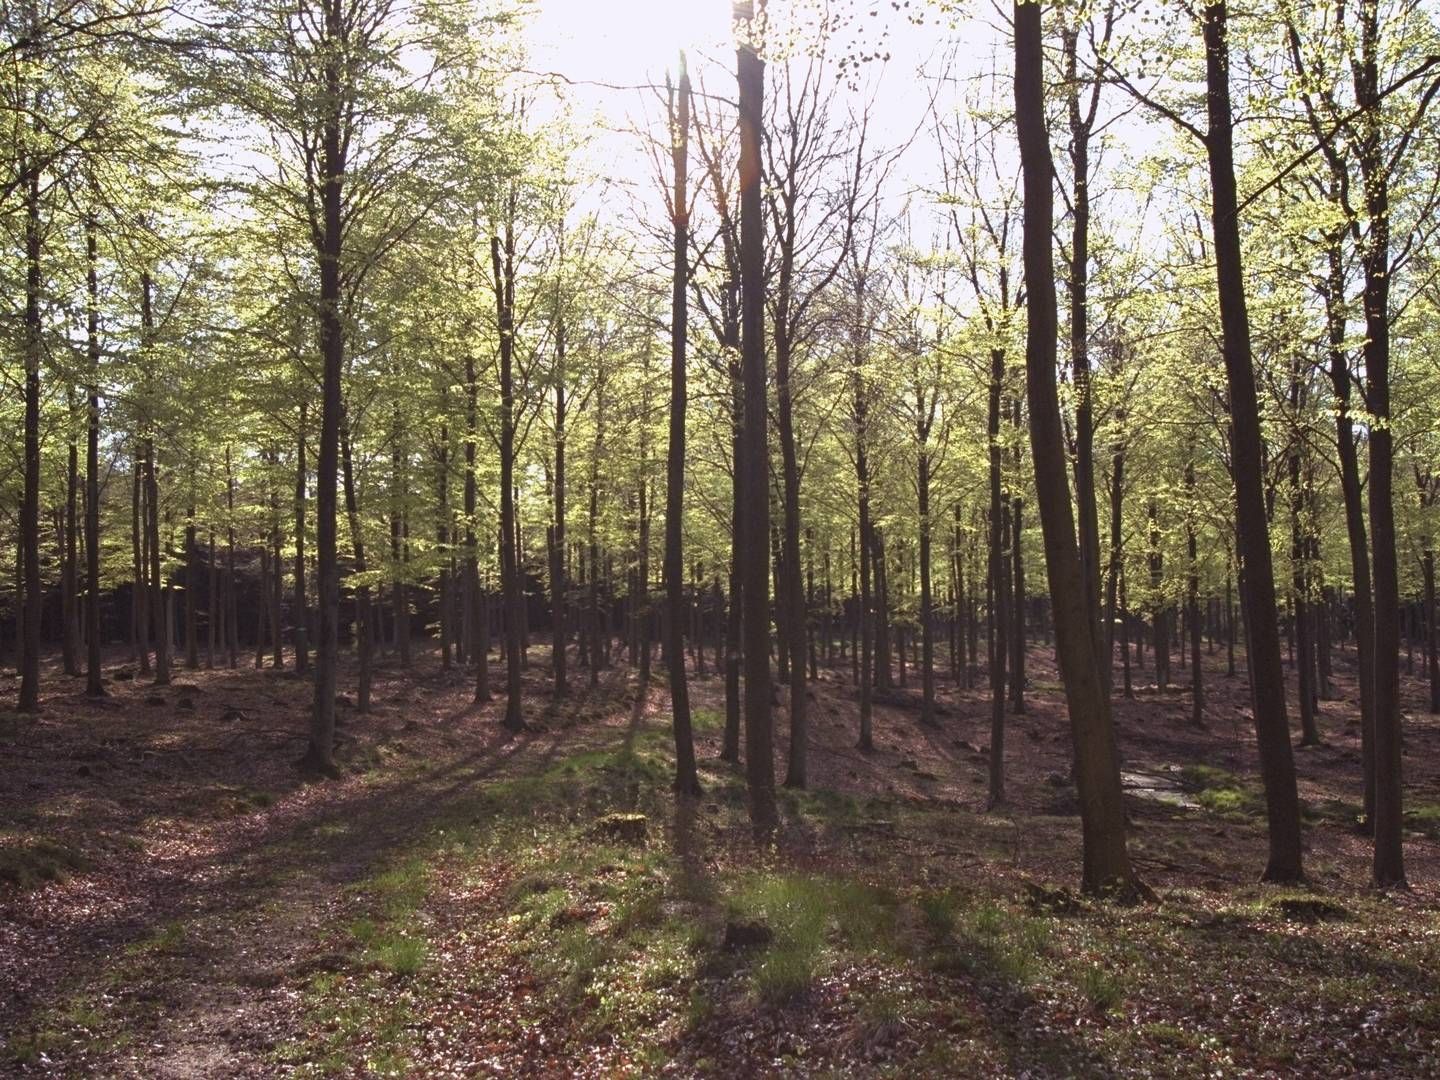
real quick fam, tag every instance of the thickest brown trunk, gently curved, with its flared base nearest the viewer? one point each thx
(1098, 775)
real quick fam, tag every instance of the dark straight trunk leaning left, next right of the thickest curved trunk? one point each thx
(1248, 457)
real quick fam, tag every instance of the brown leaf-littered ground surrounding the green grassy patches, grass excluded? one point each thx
(212, 879)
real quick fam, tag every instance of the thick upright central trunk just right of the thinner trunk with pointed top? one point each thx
(755, 523)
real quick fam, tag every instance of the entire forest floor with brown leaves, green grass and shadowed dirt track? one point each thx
(175, 902)
